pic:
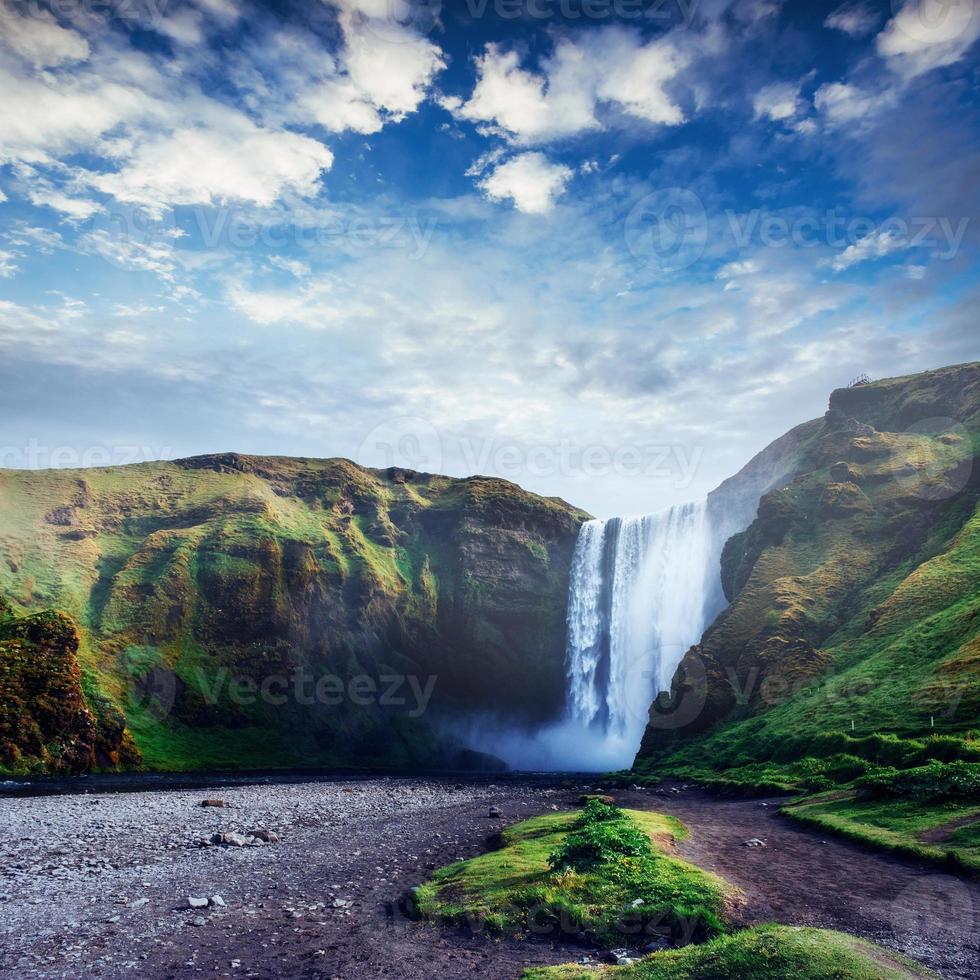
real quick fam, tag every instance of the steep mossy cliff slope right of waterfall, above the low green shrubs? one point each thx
(855, 593)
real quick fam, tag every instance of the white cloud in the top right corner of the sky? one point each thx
(927, 34)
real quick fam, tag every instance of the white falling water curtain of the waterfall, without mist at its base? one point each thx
(638, 599)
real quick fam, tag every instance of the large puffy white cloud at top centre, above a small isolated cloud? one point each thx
(609, 67)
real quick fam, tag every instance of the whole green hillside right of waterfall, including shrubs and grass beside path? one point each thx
(850, 652)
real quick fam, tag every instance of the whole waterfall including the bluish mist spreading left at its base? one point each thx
(642, 590)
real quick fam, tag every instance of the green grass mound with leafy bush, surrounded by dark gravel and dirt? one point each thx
(607, 875)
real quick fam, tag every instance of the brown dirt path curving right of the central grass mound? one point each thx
(805, 877)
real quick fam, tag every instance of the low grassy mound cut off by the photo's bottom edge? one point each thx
(762, 953)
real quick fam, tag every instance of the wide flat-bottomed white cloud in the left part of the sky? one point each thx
(231, 160)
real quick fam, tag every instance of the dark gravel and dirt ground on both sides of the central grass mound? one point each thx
(97, 886)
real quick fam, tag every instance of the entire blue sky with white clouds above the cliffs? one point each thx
(606, 248)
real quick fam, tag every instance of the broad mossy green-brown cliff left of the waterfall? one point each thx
(213, 595)
